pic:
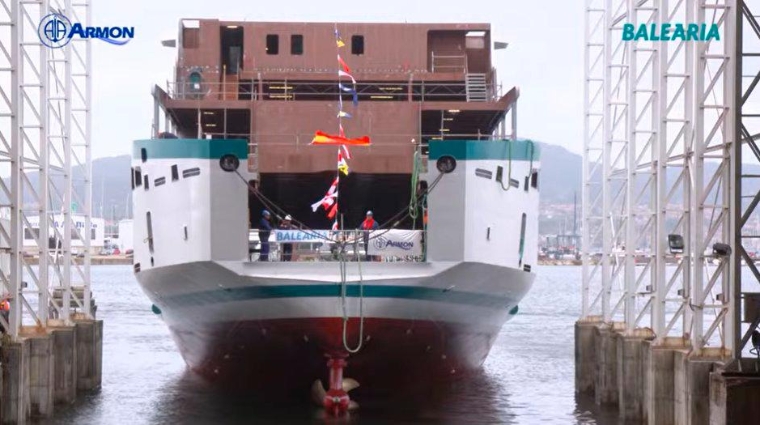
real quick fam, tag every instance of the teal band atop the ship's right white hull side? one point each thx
(521, 150)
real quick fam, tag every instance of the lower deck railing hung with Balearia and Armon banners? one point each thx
(331, 245)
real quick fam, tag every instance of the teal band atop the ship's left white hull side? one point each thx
(190, 148)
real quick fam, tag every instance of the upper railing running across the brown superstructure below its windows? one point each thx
(288, 90)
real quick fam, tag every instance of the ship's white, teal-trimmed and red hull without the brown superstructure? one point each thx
(241, 321)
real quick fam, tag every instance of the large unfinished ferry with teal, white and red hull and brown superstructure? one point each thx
(420, 297)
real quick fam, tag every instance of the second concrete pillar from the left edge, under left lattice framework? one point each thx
(41, 375)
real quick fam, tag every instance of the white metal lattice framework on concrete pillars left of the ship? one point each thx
(44, 145)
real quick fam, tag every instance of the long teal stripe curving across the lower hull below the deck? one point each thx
(333, 290)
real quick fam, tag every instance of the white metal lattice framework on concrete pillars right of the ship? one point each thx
(660, 159)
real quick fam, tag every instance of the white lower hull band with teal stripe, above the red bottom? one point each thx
(465, 293)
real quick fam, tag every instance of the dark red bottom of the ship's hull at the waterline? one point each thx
(286, 356)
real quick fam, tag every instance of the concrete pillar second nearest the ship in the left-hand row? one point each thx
(64, 365)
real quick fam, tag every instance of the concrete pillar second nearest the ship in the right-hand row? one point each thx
(605, 371)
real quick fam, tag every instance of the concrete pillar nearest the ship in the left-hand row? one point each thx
(89, 343)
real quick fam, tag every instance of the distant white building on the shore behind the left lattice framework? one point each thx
(96, 233)
